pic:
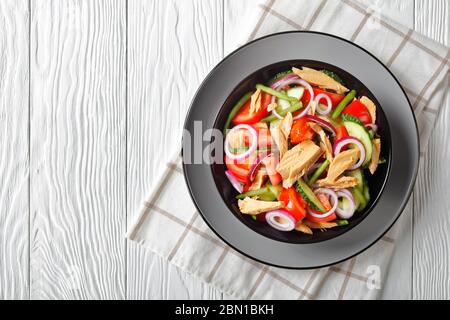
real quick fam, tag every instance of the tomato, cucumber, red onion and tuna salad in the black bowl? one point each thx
(298, 148)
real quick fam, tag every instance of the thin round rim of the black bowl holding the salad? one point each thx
(362, 215)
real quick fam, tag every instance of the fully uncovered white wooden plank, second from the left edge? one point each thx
(78, 157)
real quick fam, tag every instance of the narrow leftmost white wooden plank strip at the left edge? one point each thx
(14, 146)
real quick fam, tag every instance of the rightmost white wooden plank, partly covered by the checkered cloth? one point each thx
(431, 219)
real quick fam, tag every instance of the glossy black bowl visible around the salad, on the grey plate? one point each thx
(376, 182)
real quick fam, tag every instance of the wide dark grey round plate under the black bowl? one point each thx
(403, 159)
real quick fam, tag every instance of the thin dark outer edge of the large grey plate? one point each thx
(402, 207)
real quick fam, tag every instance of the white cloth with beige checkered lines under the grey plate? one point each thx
(170, 226)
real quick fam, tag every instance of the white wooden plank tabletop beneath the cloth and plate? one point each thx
(92, 97)
